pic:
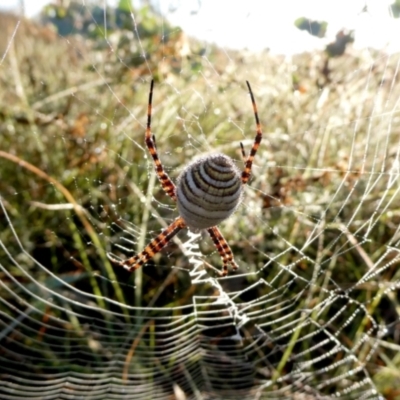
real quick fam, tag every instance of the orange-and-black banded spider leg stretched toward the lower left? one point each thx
(155, 246)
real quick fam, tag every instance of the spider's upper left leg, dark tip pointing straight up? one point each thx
(165, 180)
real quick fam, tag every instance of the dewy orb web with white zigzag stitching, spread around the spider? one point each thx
(312, 311)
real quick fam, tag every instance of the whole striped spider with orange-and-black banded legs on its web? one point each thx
(207, 192)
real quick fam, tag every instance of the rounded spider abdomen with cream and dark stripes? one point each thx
(208, 191)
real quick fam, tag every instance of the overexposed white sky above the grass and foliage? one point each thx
(259, 24)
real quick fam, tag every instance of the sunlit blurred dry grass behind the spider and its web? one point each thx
(322, 201)
